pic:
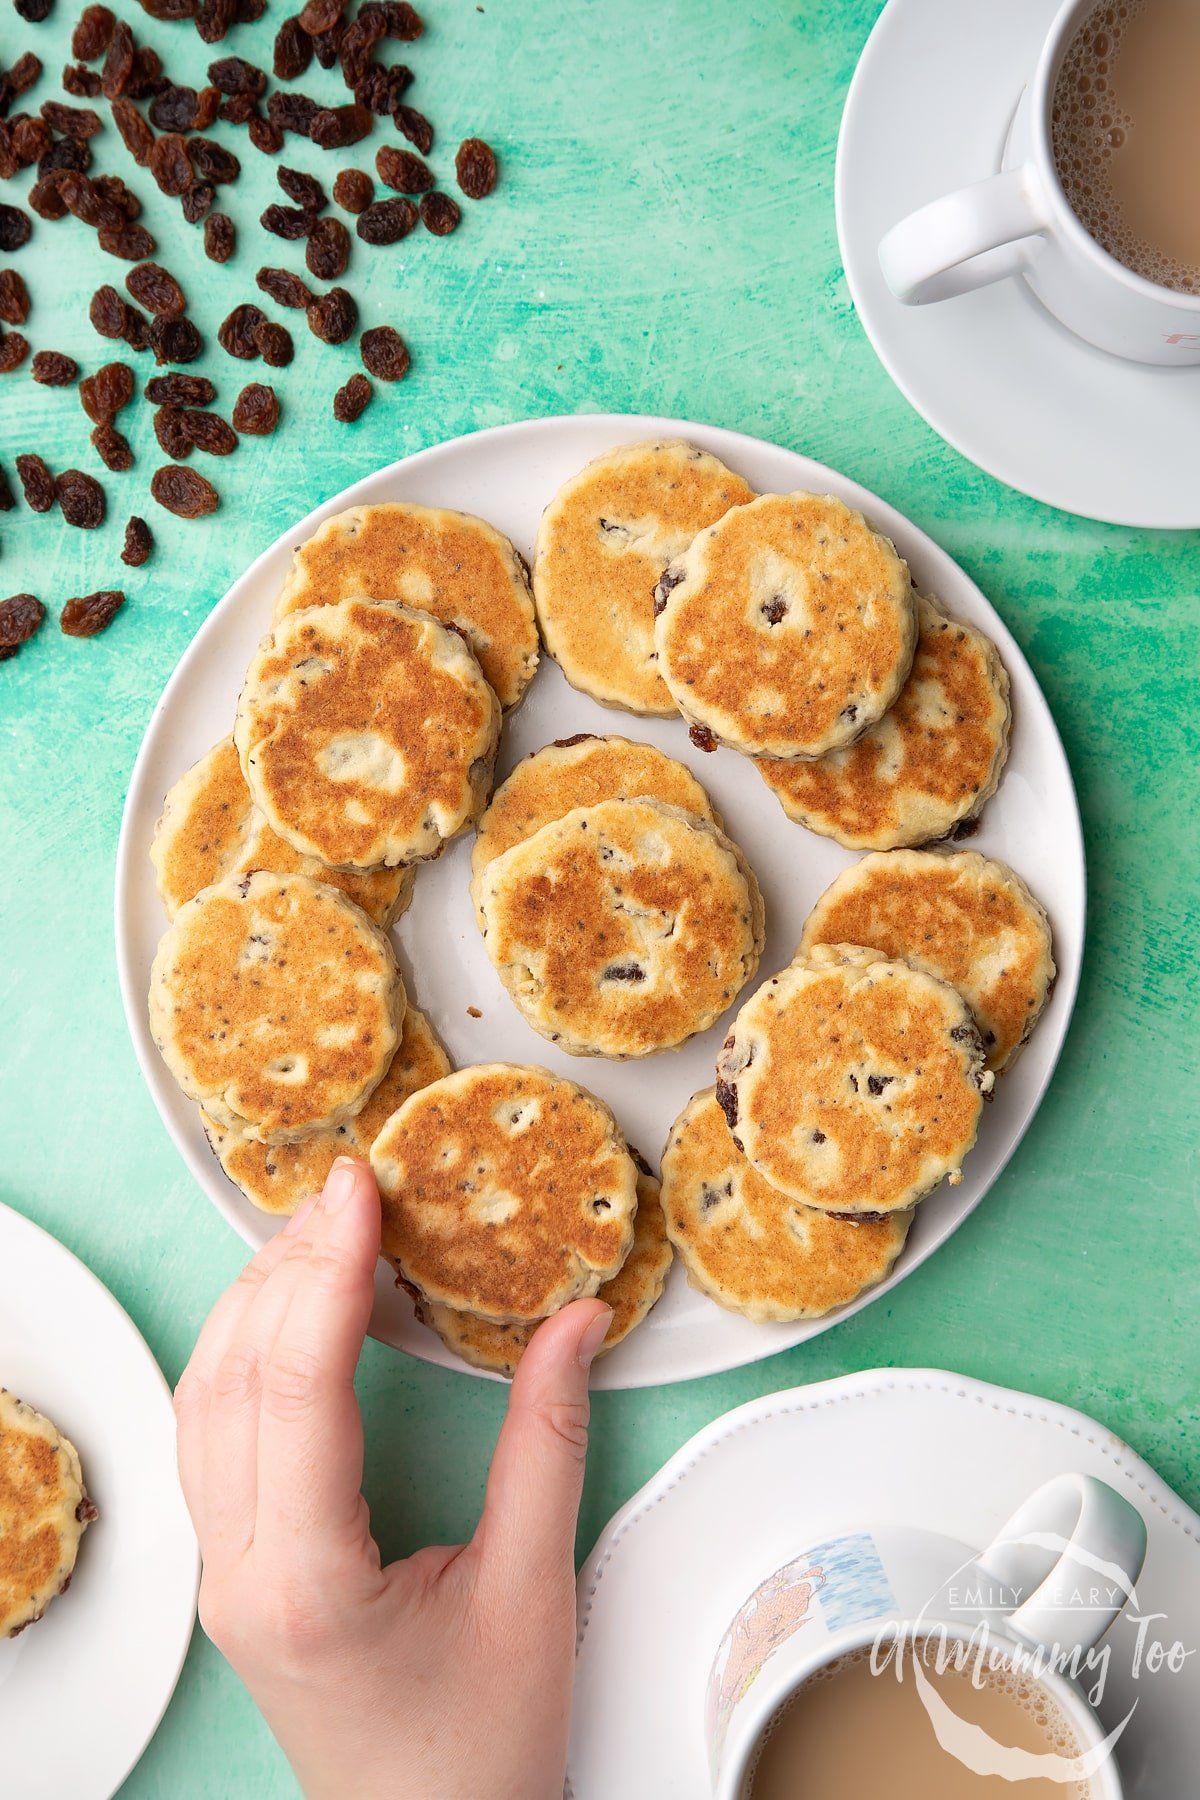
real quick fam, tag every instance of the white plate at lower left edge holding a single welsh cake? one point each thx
(84, 1691)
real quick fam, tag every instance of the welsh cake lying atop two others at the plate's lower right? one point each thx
(854, 1083)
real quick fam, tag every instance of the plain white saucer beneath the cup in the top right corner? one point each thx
(994, 373)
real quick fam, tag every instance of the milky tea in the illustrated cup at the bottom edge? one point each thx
(850, 1734)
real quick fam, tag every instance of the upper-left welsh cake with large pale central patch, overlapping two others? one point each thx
(366, 733)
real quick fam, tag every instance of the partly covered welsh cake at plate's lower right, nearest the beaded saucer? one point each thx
(753, 1248)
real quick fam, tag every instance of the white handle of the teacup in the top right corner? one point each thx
(967, 240)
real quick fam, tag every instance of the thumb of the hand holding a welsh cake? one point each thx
(528, 1531)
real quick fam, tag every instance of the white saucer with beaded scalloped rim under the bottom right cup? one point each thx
(886, 1446)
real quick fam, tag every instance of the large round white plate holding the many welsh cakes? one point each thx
(508, 476)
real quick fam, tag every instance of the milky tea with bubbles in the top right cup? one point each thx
(1125, 132)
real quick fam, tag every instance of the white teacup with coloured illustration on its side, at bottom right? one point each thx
(1075, 1536)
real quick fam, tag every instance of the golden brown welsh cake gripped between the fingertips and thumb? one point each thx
(506, 1192)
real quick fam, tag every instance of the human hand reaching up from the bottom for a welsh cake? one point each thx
(438, 1678)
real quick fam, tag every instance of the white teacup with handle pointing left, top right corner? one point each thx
(1021, 224)
